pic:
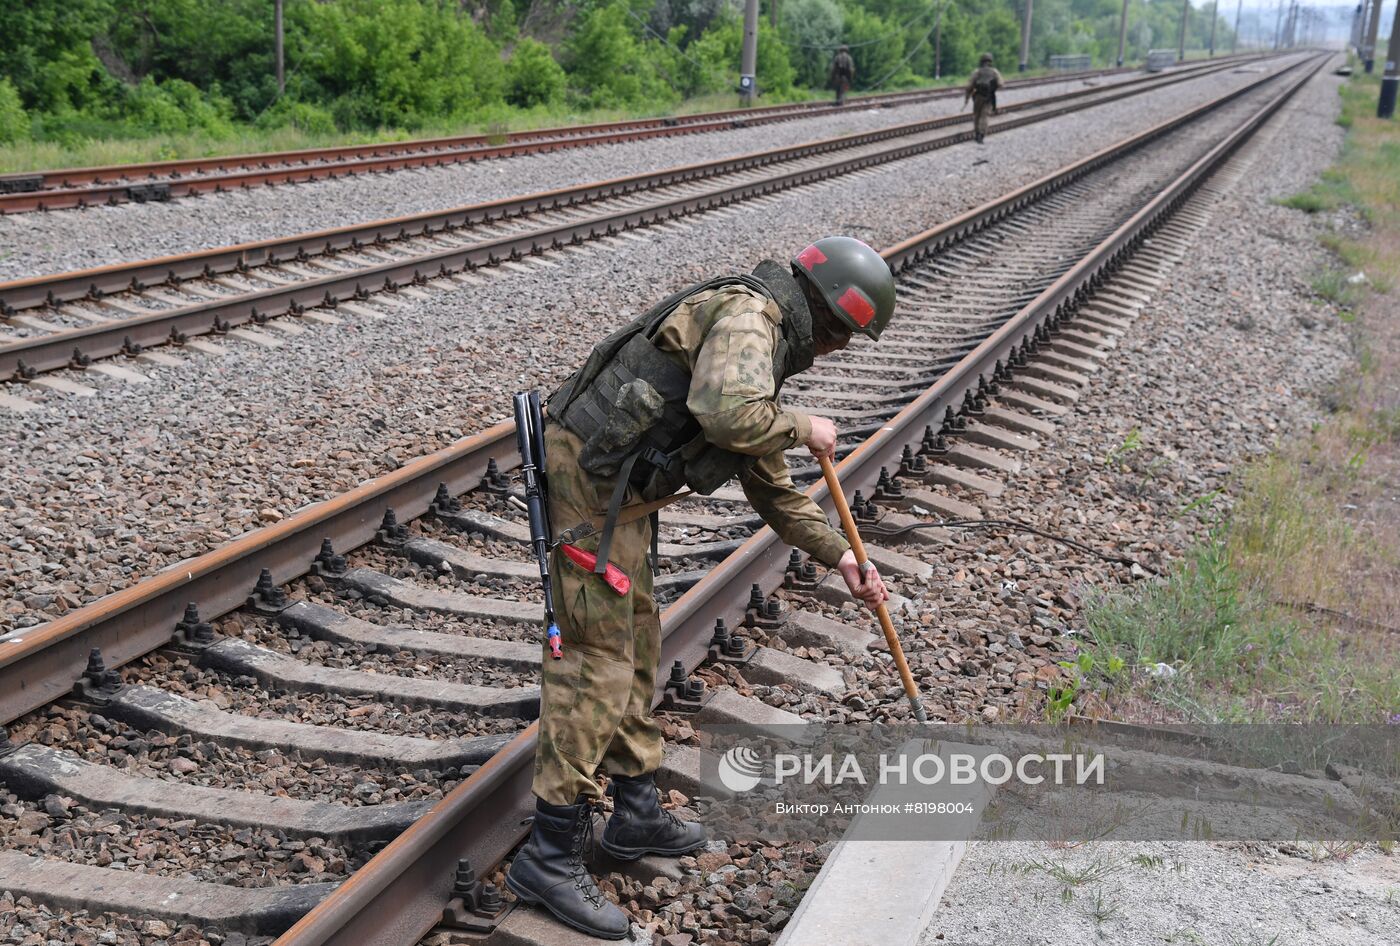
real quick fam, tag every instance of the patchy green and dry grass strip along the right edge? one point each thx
(1314, 527)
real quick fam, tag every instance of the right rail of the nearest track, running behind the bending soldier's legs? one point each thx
(374, 908)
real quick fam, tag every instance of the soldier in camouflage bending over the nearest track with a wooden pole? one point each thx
(689, 394)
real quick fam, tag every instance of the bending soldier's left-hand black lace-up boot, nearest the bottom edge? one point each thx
(549, 871)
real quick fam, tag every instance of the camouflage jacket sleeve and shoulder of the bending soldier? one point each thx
(726, 339)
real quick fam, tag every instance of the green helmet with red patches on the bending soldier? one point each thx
(853, 279)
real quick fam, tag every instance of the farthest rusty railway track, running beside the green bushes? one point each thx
(170, 180)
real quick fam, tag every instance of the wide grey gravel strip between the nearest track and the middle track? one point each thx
(216, 447)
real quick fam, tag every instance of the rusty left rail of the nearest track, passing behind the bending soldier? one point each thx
(41, 664)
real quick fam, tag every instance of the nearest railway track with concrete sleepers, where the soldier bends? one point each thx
(1000, 309)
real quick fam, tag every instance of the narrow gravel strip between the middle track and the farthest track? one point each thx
(101, 236)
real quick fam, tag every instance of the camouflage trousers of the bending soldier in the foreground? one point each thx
(596, 703)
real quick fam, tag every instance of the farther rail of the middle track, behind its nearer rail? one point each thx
(37, 292)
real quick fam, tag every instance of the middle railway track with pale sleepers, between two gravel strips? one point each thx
(72, 320)
